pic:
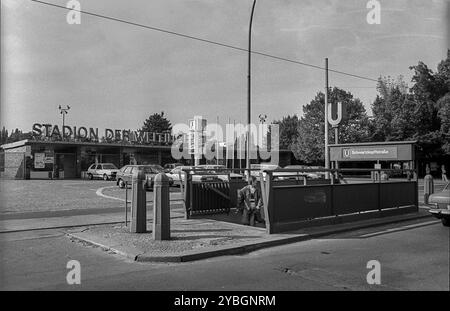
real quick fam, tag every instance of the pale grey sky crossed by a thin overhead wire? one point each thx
(114, 75)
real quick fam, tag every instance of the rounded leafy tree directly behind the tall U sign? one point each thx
(309, 145)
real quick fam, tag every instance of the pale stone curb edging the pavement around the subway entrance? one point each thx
(243, 248)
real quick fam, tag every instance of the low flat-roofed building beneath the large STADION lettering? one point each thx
(37, 159)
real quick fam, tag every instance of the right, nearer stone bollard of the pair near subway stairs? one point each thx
(161, 208)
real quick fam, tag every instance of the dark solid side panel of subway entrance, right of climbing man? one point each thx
(292, 207)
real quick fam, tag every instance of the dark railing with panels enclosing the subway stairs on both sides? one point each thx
(293, 201)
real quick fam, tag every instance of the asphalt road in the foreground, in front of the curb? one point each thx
(413, 256)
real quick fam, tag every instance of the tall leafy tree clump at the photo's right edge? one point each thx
(420, 113)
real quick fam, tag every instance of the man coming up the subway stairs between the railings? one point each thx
(250, 203)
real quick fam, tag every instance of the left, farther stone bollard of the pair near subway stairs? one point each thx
(138, 203)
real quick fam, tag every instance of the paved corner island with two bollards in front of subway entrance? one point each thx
(196, 239)
